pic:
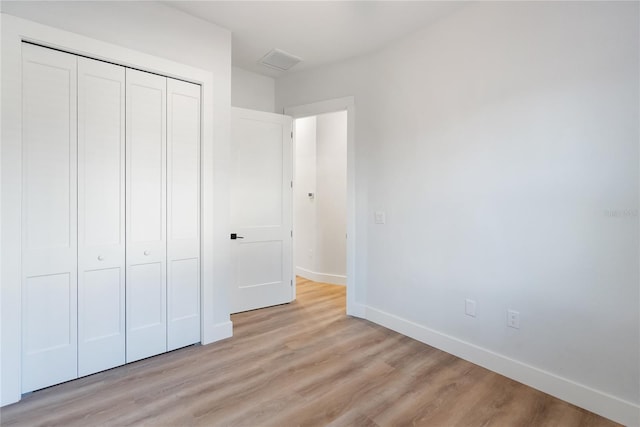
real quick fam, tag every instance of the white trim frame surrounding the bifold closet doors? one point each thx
(215, 321)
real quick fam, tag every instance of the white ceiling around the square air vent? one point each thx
(320, 32)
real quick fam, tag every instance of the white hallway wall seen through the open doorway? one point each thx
(320, 222)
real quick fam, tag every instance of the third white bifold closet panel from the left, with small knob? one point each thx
(146, 215)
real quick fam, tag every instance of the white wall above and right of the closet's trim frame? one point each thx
(158, 30)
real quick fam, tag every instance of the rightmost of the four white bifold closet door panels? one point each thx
(183, 214)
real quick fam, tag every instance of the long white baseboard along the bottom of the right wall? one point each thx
(603, 404)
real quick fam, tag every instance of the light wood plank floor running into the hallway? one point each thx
(304, 363)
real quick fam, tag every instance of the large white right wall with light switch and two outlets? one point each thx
(502, 143)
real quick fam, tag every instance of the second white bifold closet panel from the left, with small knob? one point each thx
(101, 216)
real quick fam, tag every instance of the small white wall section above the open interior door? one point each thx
(252, 91)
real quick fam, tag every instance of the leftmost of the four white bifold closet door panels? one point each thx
(49, 241)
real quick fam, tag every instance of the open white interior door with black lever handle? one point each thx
(261, 209)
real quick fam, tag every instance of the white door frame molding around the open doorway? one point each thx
(354, 308)
